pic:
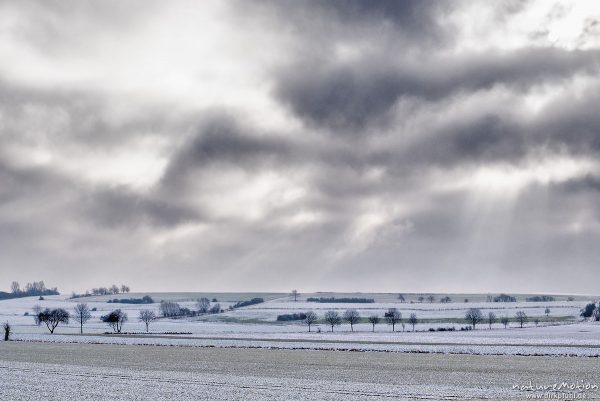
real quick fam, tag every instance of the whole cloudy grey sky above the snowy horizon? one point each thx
(413, 146)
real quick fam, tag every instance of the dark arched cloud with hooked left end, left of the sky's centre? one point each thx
(221, 141)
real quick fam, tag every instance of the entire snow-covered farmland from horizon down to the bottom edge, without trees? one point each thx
(247, 354)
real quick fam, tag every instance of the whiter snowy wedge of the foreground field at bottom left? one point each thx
(24, 380)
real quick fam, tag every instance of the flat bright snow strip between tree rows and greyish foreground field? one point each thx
(422, 344)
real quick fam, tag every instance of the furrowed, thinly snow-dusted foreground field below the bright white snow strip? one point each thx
(35, 371)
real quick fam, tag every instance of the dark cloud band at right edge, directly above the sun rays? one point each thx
(567, 125)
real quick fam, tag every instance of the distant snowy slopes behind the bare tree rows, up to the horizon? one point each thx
(15, 309)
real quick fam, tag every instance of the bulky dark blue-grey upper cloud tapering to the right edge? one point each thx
(348, 96)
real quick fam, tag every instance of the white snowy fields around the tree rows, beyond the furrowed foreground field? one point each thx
(574, 338)
